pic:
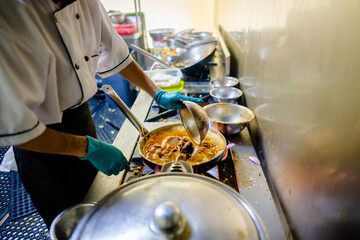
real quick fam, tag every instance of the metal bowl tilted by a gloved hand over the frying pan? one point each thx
(195, 121)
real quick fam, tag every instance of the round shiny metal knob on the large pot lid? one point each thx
(168, 220)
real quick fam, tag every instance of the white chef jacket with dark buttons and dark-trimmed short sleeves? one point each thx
(48, 60)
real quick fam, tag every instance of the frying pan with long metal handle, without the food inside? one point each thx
(199, 168)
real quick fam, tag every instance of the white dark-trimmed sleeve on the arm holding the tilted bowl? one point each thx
(114, 51)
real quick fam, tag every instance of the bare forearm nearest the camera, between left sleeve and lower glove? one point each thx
(54, 142)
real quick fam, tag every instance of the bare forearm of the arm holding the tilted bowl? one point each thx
(134, 74)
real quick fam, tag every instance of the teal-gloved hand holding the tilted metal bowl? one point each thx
(170, 100)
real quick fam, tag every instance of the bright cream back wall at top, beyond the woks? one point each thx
(178, 14)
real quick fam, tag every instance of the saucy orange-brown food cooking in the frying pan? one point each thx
(175, 145)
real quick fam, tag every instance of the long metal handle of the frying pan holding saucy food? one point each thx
(108, 90)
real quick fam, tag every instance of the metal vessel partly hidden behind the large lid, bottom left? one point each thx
(64, 224)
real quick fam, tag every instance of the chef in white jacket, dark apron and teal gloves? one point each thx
(50, 53)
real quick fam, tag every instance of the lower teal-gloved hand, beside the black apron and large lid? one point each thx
(105, 157)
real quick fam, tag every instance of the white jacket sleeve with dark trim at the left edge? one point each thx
(22, 84)
